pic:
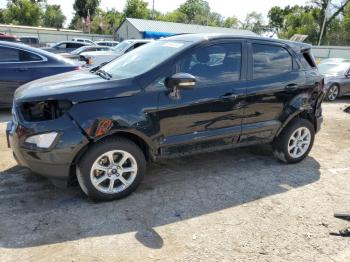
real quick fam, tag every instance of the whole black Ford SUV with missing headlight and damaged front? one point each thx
(176, 96)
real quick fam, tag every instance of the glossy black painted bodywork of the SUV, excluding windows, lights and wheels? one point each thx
(201, 119)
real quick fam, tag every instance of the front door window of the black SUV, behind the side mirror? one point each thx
(214, 64)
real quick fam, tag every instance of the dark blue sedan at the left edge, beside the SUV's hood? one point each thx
(20, 64)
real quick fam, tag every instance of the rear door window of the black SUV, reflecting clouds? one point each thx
(269, 60)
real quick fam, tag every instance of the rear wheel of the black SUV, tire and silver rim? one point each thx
(295, 141)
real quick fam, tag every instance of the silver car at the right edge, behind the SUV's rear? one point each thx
(337, 77)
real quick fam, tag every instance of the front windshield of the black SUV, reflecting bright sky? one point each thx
(144, 58)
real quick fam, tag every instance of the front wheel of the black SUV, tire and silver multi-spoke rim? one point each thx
(111, 169)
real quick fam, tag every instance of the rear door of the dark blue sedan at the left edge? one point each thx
(16, 67)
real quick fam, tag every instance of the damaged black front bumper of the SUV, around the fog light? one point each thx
(54, 162)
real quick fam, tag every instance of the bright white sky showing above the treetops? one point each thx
(226, 8)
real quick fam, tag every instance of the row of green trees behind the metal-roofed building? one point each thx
(333, 15)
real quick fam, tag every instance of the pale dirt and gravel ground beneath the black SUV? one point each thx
(238, 205)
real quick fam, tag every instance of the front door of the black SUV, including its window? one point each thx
(210, 114)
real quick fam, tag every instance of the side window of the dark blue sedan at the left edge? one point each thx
(16, 55)
